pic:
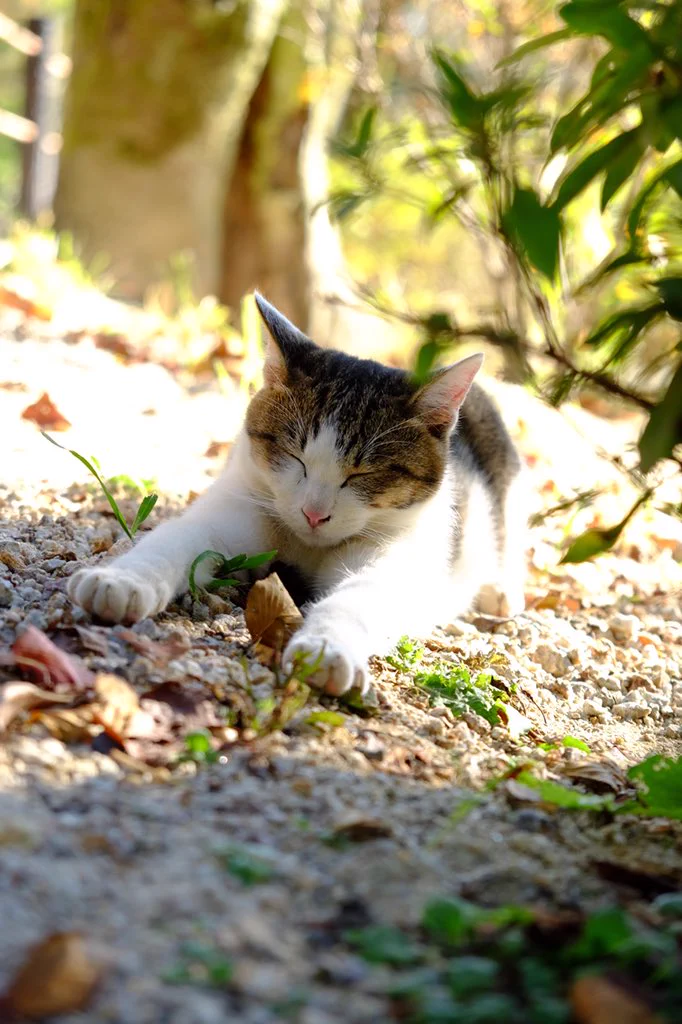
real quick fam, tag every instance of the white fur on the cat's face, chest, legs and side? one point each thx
(383, 573)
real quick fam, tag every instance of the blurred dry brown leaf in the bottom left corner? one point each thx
(58, 977)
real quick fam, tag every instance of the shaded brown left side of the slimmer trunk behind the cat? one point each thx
(264, 242)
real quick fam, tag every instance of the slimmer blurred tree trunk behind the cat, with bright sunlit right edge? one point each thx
(278, 233)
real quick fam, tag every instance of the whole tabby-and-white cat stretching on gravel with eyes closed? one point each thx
(399, 505)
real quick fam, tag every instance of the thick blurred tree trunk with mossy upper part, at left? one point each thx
(155, 109)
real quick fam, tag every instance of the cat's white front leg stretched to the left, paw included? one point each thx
(142, 582)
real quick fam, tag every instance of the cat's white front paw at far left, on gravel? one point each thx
(117, 595)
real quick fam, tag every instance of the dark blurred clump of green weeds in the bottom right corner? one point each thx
(479, 966)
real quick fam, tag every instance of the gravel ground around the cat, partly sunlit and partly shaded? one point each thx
(355, 820)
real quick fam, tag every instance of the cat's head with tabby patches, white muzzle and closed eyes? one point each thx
(347, 445)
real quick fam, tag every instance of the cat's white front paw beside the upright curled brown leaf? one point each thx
(338, 667)
